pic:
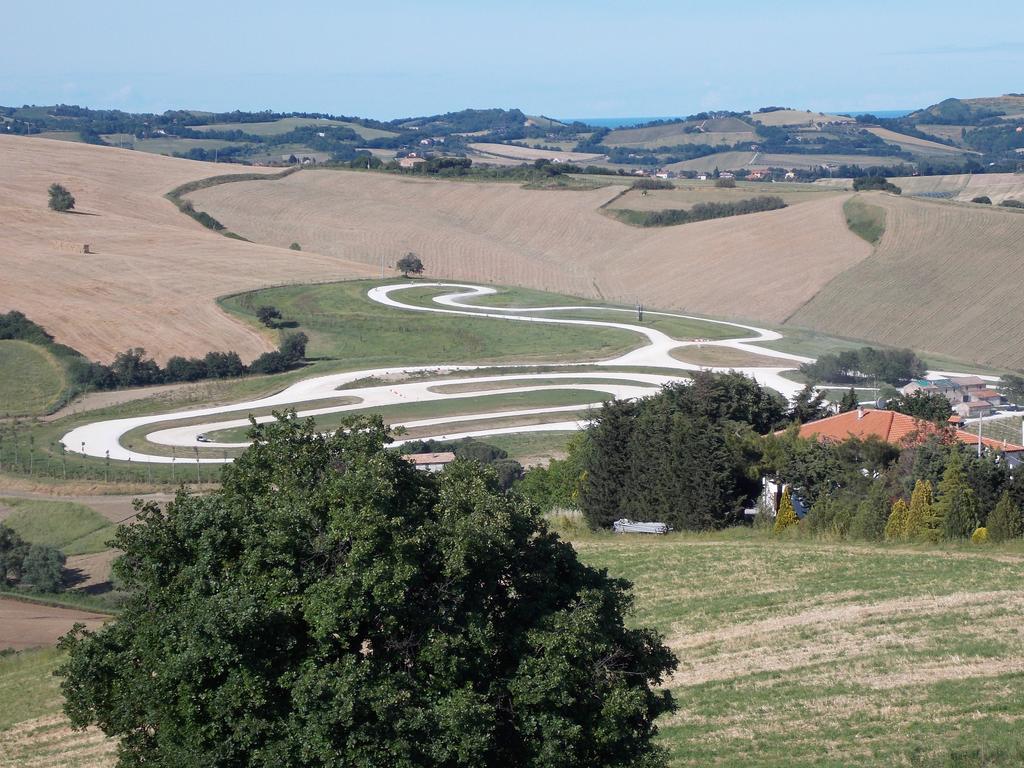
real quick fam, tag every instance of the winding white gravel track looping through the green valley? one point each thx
(109, 438)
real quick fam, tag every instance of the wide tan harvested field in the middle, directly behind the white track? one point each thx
(552, 240)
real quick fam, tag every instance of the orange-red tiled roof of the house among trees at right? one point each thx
(890, 426)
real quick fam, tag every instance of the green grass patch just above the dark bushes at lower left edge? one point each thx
(73, 529)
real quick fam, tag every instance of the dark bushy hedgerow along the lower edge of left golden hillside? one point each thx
(132, 368)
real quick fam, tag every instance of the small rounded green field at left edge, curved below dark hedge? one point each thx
(33, 379)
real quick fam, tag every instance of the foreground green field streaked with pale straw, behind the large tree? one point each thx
(792, 654)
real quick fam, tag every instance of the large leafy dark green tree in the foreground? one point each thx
(334, 607)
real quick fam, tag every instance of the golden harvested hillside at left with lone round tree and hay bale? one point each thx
(153, 275)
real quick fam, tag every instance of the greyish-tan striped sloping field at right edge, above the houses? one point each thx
(946, 279)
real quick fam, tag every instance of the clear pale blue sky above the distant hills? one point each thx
(563, 59)
